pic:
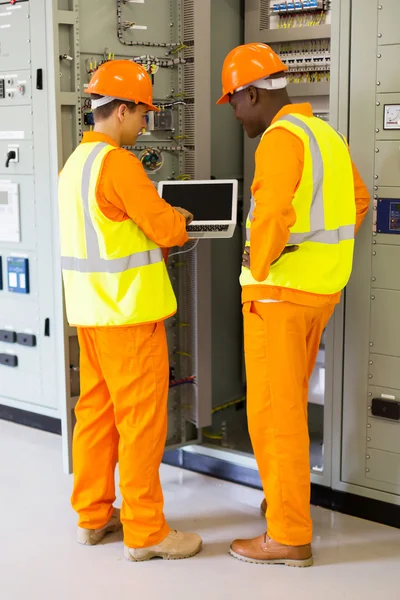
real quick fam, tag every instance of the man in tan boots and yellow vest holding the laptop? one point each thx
(113, 228)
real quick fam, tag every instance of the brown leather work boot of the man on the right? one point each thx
(264, 551)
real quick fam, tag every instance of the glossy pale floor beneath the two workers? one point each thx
(39, 559)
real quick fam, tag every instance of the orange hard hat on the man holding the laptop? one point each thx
(123, 80)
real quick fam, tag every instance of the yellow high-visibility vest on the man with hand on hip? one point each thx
(325, 214)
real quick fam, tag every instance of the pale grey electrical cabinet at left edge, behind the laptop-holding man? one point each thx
(30, 292)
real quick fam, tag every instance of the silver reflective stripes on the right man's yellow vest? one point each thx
(317, 218)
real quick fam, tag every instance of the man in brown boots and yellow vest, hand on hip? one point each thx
(308, 201)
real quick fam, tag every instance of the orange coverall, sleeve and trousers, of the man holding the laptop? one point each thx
(122, 411)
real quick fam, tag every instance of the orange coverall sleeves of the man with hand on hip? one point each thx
(279, 168)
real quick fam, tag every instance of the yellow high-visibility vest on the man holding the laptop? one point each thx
(113, 274)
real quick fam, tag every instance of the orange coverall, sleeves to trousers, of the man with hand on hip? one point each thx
(282, 338)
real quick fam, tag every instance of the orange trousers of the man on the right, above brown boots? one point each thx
(281, 347)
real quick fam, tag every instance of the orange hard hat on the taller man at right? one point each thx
(247, 64)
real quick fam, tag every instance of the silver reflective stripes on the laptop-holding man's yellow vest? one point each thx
(94, 263)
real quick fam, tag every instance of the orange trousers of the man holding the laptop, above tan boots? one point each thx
(122, 417)
